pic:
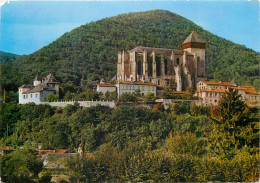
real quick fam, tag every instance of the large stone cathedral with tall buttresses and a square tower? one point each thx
(175, 69)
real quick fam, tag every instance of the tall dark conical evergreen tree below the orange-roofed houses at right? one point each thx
(233, 128)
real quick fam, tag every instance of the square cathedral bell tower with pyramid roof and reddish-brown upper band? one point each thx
(195, 45)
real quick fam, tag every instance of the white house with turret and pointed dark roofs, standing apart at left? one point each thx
(39, 91)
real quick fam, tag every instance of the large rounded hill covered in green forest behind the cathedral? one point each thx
(89, 52)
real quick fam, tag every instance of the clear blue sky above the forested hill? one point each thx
(27, 26)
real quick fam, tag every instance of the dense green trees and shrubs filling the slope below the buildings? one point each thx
(136, 144)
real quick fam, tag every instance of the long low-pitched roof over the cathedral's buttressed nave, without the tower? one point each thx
(158, 50)
